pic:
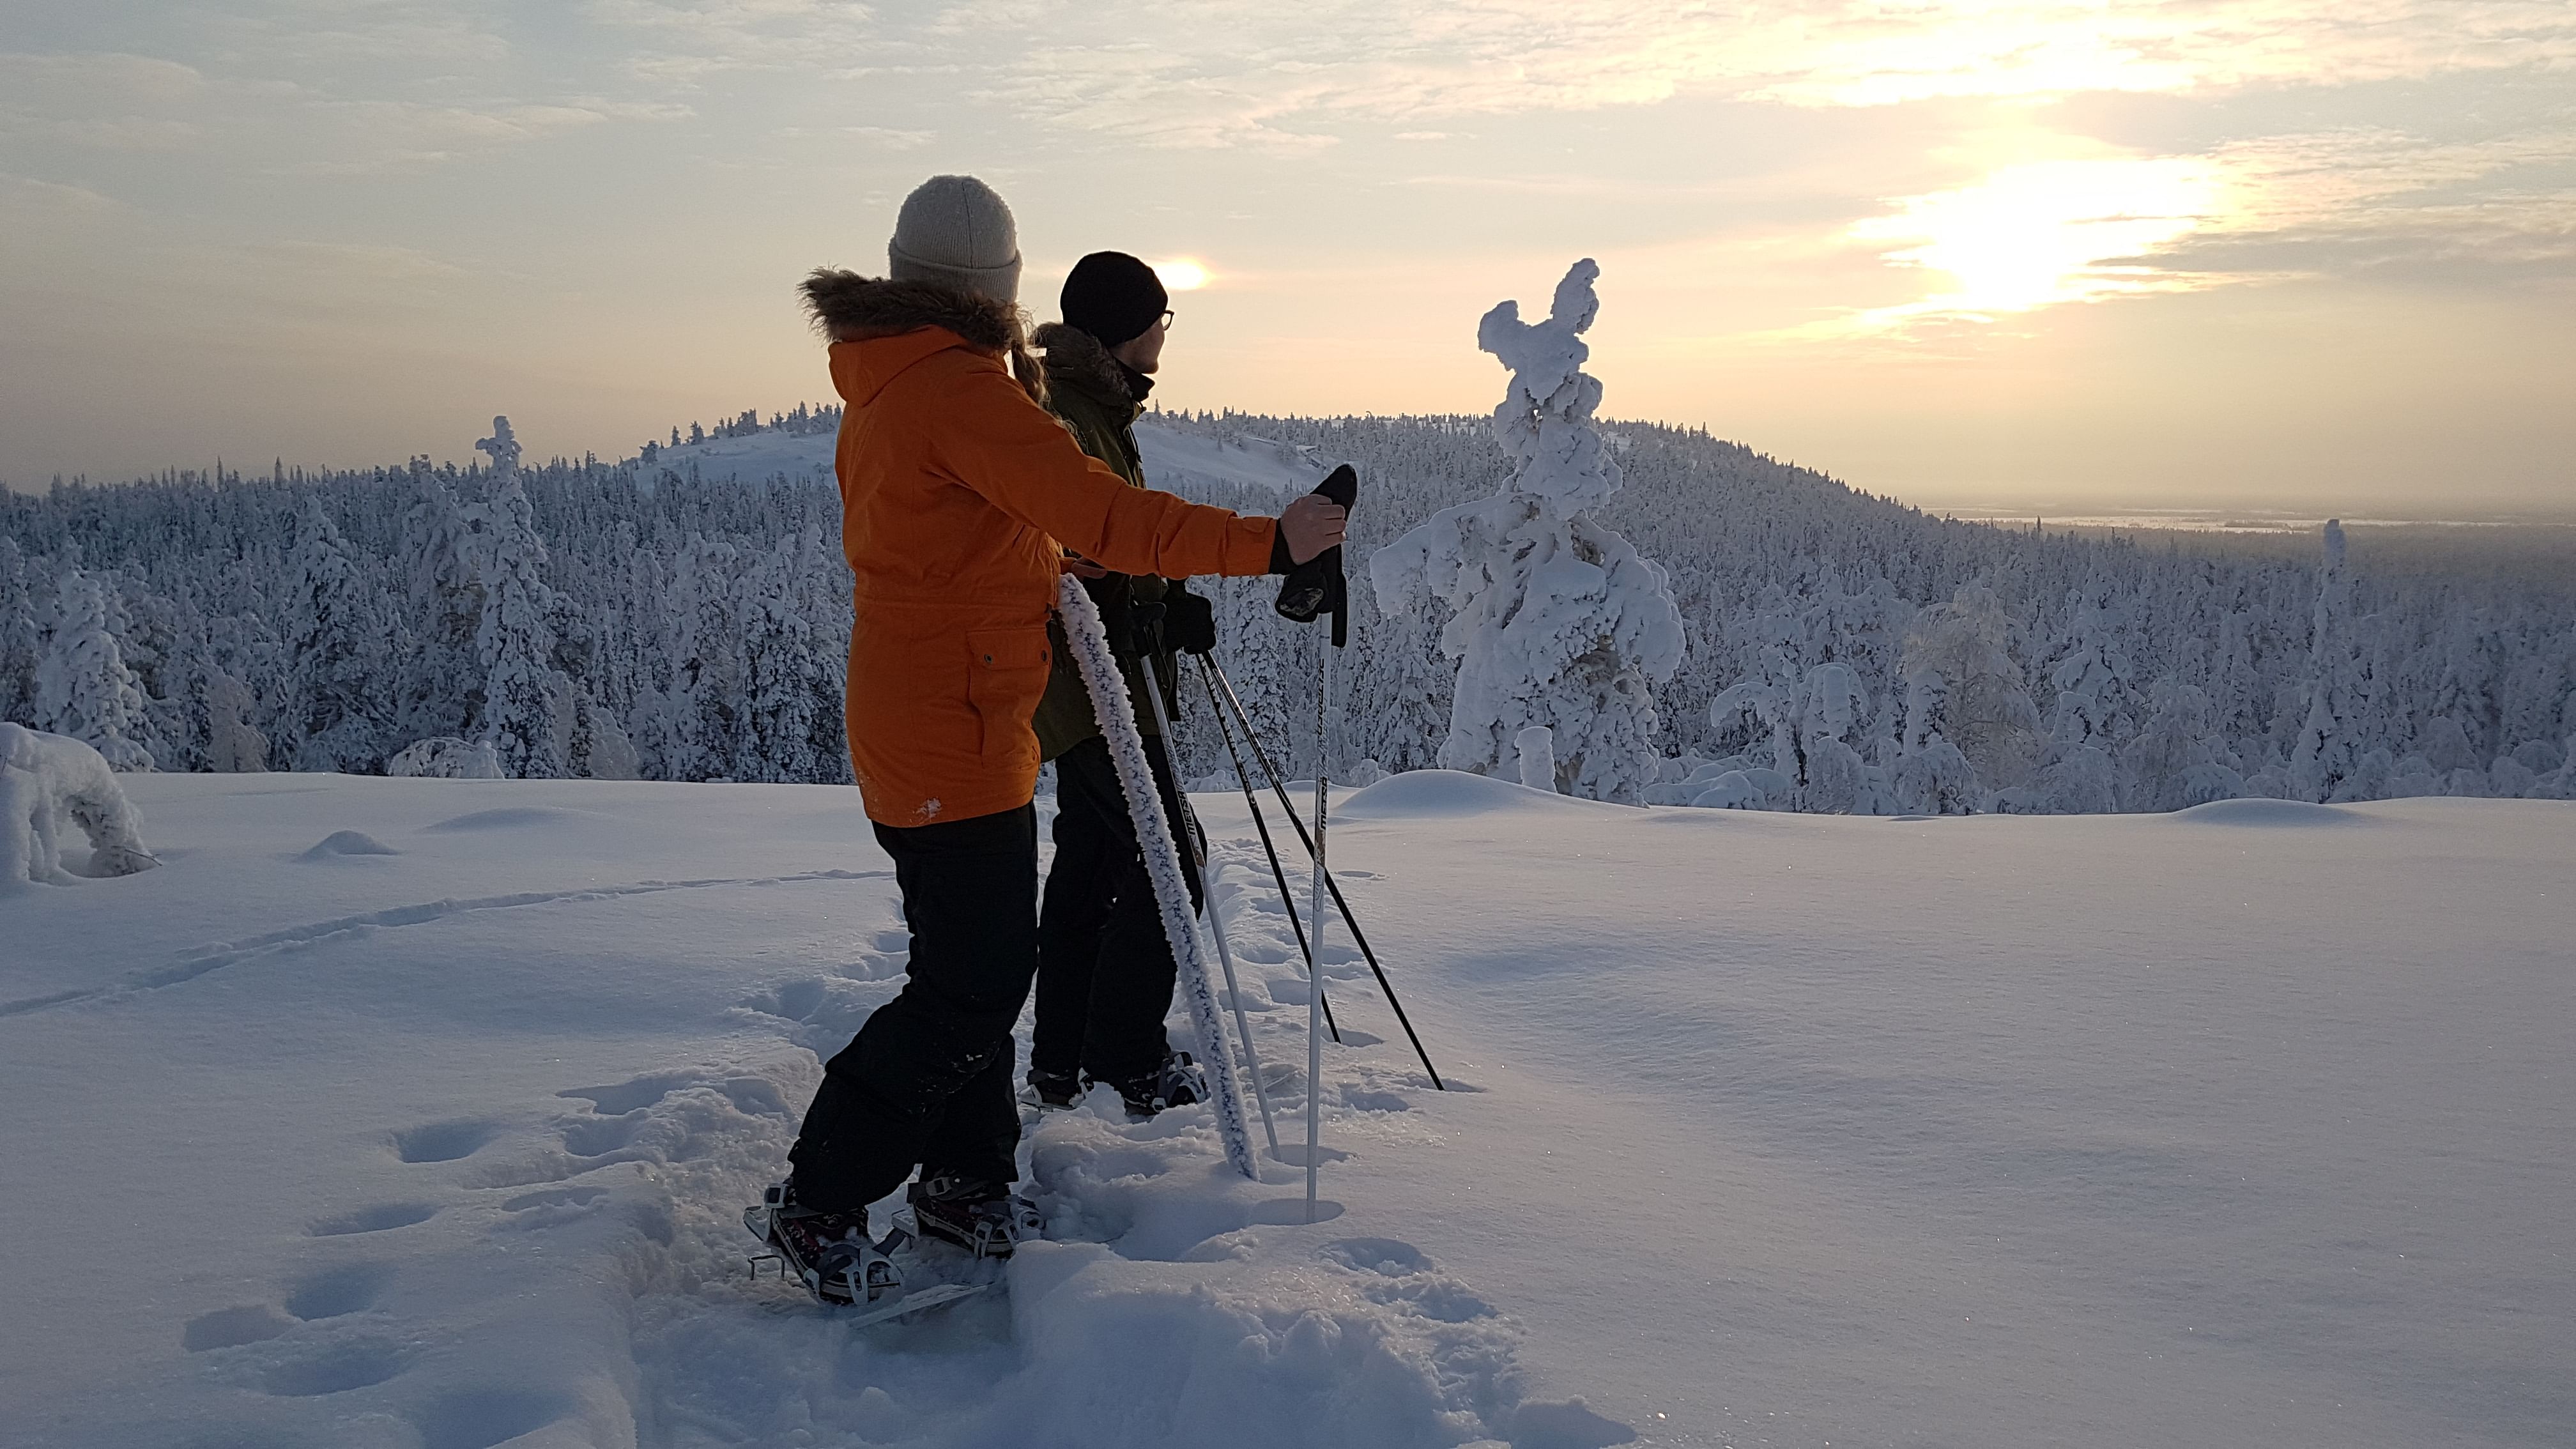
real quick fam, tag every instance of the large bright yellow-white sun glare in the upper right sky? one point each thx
(2044, 233)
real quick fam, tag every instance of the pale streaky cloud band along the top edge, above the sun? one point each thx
(1253, 73)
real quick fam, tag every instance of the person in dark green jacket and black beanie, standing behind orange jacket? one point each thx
(1104, 963)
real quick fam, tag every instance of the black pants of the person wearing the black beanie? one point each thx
(1104, 963)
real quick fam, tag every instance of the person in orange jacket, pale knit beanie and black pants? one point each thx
(960, 504)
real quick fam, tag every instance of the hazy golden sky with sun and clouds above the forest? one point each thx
(2237, 254)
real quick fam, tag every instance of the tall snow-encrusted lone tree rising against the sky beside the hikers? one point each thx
(1557, 620)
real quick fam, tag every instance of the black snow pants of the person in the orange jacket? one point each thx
(926, 1084)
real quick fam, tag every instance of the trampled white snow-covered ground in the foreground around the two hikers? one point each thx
(421, 1113)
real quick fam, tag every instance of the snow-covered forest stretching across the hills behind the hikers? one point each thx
(1843, 654)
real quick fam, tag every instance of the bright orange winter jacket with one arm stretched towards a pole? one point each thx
(960, 499)
